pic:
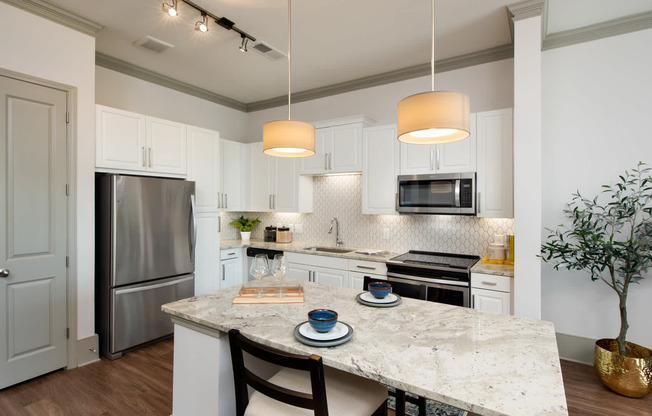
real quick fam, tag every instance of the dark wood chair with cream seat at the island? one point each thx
(302, 383)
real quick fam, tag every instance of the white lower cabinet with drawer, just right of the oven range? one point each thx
(491, 293)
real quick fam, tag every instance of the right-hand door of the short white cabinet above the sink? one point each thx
(346, 149)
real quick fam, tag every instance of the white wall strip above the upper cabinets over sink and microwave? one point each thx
(489, 86)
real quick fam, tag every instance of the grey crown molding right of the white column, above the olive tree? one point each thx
(597, 31)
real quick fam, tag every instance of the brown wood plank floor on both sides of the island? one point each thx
(140, 383)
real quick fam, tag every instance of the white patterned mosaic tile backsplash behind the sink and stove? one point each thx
(340, 197)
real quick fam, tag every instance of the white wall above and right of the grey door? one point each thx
(40, 48)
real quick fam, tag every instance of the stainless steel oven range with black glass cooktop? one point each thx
(446, 276)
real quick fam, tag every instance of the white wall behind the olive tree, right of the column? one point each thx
(596, 110)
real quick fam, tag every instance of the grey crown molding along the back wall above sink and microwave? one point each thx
(477, 58)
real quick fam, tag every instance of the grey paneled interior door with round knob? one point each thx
(33, 226)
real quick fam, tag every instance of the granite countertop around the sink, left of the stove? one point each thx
(300, 247)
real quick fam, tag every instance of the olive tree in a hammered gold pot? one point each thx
(610, 237)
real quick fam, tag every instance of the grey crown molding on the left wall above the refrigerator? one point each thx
(115, 64)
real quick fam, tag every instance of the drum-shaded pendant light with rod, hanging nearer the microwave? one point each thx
(435, 116)
